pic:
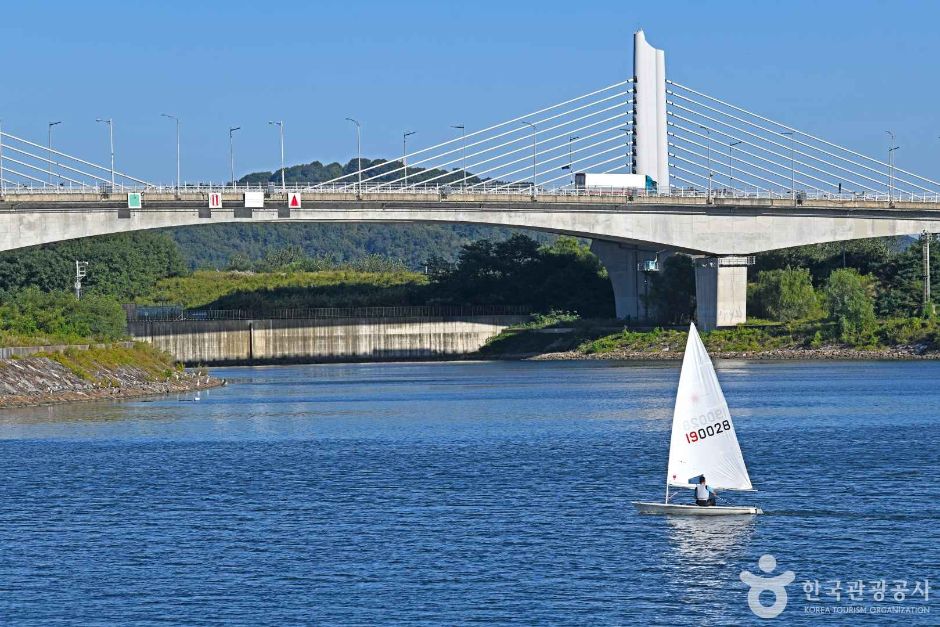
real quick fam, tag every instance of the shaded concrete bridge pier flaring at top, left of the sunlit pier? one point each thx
(629, 283)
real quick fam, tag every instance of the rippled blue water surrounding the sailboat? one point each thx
(456, 493)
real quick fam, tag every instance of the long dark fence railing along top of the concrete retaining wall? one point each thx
(170, 313)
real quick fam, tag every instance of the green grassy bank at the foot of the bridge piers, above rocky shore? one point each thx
(598, 338)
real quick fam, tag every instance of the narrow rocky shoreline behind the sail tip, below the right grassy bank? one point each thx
(912, 353)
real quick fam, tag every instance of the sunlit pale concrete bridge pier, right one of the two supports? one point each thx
(721, 291)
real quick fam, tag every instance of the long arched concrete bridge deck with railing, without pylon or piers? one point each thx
(695, 224)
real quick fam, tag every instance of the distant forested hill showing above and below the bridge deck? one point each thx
(212, 246)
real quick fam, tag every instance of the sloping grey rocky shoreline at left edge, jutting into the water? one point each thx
(34, 381)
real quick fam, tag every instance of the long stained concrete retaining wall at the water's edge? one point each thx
(349, 339)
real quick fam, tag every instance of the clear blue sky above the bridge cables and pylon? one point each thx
(843, 70)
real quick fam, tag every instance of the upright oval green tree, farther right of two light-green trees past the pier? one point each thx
(851, 306)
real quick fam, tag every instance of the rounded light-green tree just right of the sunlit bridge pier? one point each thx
(784, 295)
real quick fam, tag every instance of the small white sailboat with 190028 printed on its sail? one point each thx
(703, 439)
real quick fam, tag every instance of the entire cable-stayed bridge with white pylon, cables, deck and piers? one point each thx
(730, 183)
